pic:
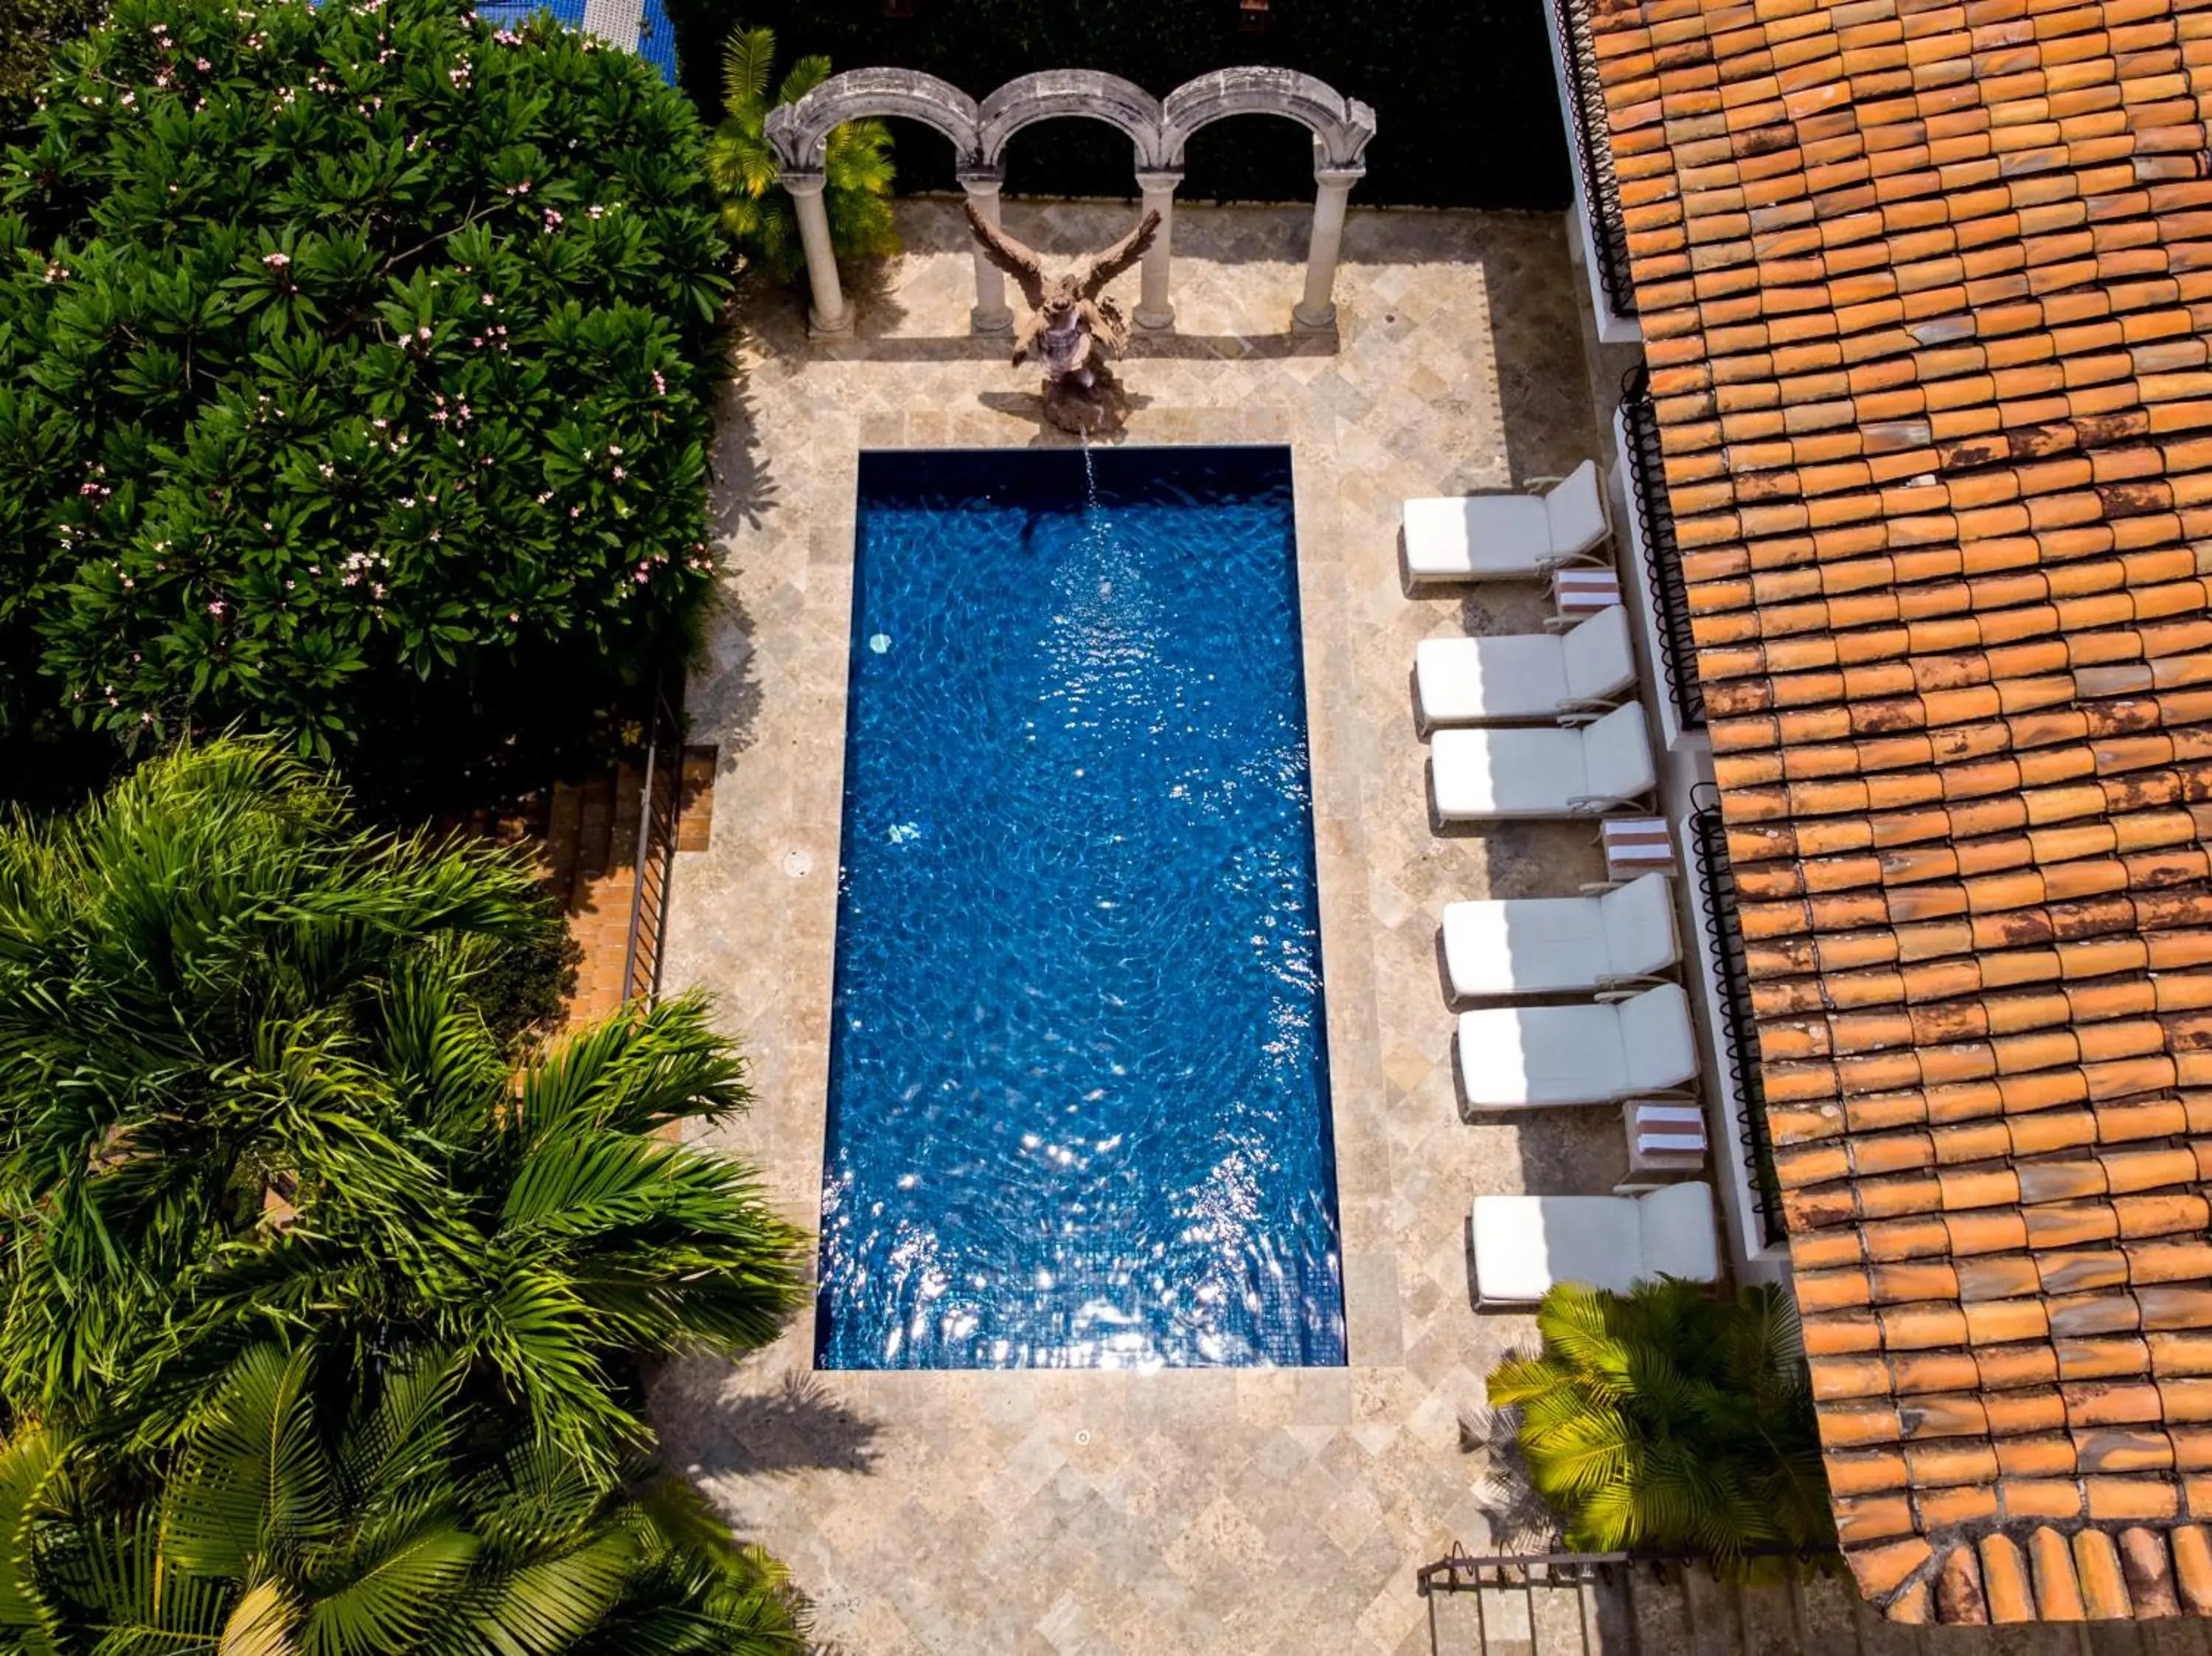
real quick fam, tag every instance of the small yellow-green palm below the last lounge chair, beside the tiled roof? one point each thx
(1671, 1421)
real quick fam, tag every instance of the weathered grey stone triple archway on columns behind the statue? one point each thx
(1158, 127)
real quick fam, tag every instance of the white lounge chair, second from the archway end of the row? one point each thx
(1530, 675)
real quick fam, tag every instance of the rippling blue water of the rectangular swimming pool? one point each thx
(1078, 1089)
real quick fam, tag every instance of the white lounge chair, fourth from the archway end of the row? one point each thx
(1552, 945)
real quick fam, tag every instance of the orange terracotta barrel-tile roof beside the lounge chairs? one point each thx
(1928, 295)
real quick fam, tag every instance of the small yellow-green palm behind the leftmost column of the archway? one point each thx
(755, 213)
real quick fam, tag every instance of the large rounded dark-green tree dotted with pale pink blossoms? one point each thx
(355, 368)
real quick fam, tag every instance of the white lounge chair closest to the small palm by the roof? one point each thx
(1530, 1244)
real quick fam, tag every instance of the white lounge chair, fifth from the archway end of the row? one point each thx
(1594, 1054)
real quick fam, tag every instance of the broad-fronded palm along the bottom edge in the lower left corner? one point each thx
(302, 1516)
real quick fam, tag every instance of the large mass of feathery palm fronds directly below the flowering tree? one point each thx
(247, 1091)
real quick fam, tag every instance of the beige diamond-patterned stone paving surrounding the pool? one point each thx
(1196, 1511)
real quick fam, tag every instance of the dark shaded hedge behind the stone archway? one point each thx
(1463, 90)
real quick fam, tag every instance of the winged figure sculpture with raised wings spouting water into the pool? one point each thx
(1072, 328)
